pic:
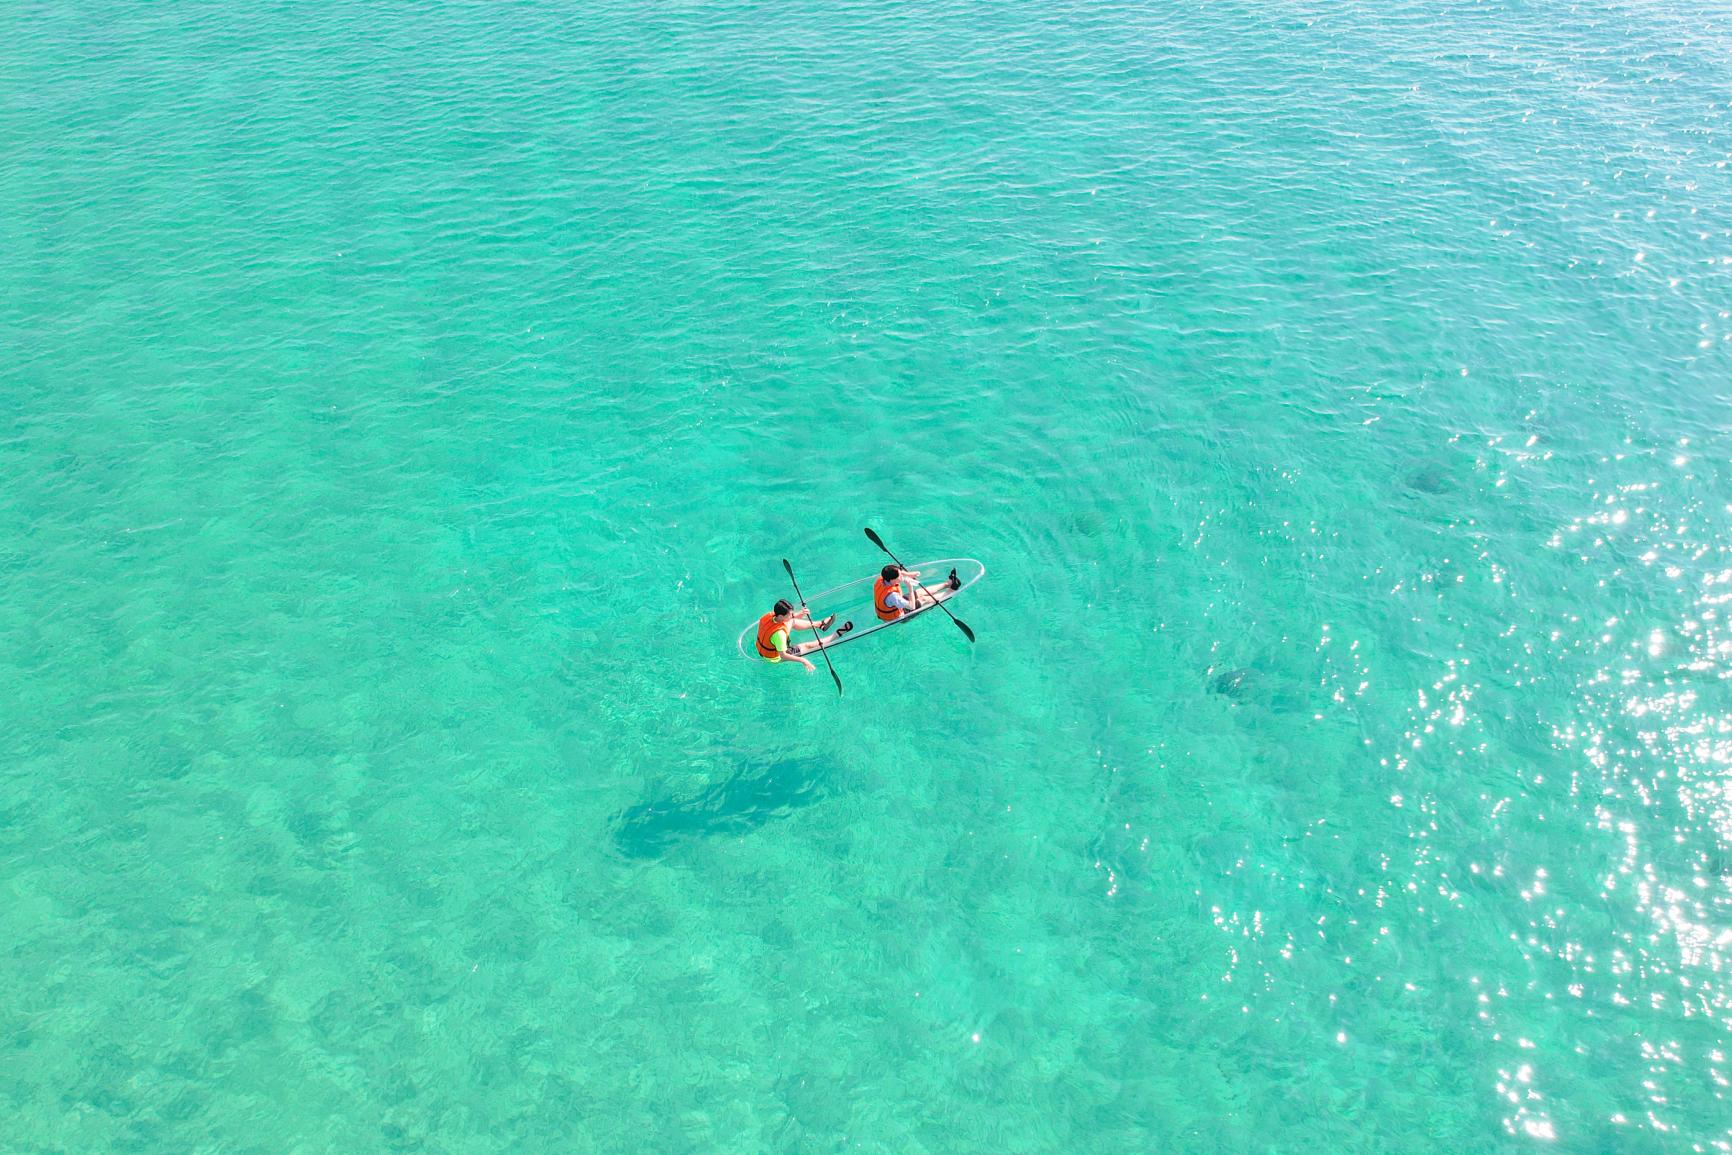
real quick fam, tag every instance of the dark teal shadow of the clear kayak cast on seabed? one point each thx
(756, 794)
